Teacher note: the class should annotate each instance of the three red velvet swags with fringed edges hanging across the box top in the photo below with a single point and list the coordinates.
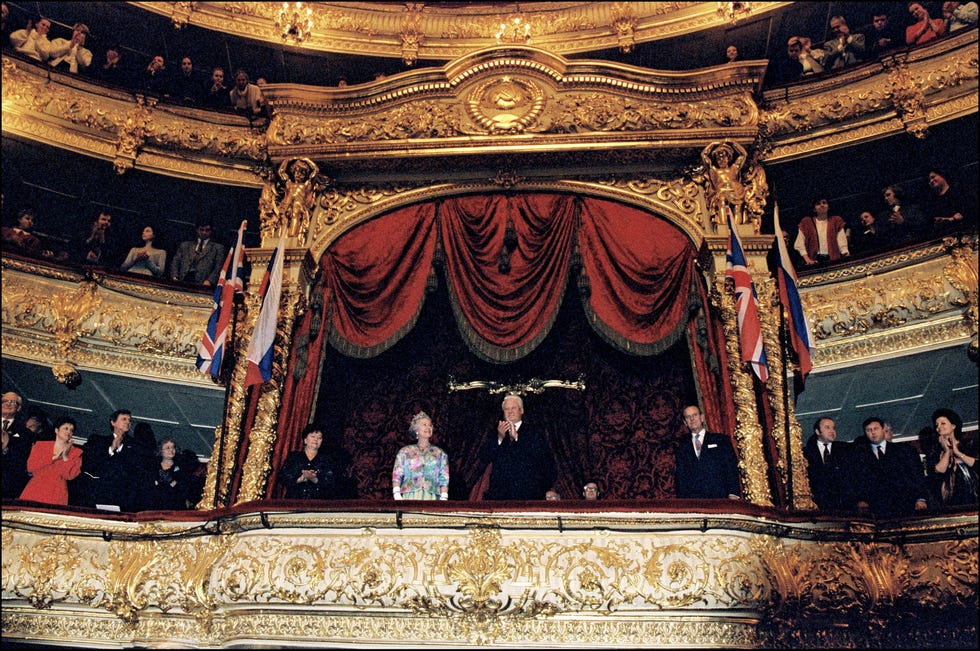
(507, 260)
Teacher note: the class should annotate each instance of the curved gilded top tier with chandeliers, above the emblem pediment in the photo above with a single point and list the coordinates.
(446, 31)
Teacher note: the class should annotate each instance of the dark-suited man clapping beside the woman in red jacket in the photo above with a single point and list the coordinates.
(111, 464)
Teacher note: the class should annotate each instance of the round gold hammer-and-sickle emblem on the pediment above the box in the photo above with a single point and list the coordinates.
(506, 105)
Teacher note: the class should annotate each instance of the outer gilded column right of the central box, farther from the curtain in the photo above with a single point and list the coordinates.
(790, 450)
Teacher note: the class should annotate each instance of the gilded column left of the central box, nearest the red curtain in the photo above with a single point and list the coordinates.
(262, 436)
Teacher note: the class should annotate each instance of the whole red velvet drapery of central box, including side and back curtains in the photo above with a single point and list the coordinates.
(506, 260)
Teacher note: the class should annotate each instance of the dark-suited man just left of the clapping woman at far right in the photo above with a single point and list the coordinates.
(885, 478)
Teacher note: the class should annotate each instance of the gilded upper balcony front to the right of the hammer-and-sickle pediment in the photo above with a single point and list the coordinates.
(906, 91)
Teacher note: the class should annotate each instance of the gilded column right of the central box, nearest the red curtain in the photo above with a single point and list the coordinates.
(748, 432)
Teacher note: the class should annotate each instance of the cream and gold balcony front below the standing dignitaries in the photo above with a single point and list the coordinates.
(500, 580)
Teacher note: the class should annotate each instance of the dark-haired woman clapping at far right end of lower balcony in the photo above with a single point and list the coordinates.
(951, 468)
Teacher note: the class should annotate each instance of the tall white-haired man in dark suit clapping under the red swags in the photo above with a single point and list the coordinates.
(522, 465)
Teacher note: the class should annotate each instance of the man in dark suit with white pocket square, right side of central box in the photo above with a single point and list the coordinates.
(706, 464)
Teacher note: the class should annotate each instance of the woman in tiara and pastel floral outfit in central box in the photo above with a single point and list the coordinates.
(421, 469)
